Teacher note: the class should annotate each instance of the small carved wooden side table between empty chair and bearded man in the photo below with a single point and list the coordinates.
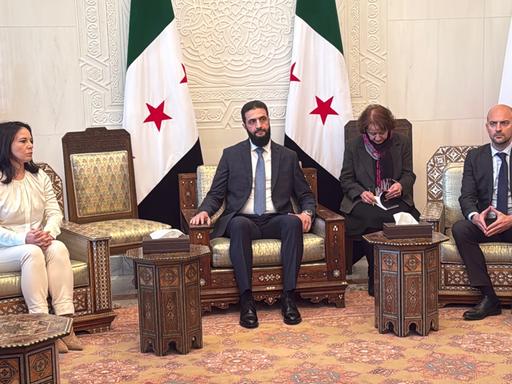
(169, 301)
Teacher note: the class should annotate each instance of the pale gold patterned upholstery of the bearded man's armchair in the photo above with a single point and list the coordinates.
(266, 252)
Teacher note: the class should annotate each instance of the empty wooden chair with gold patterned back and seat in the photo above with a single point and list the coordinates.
(100, 187)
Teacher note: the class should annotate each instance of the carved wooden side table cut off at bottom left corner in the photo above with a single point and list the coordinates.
(27, 347)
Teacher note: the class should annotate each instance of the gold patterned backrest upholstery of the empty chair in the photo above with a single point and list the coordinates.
(102, 183)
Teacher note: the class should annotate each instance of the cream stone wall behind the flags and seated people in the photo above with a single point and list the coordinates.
(437, 63)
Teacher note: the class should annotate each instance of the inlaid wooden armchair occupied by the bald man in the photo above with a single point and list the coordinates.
(444, 177)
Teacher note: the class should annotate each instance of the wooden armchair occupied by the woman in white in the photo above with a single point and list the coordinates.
(89, 255)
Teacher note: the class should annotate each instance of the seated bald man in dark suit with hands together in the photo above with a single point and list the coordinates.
(487, 206)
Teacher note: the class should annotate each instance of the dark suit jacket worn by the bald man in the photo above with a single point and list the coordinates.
(477, 182)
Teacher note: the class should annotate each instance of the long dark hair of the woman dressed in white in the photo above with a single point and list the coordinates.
(8, 132)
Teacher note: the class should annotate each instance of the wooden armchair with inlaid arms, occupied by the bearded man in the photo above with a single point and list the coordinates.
(322, 272)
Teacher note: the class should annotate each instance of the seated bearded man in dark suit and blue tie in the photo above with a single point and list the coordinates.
(257, 179)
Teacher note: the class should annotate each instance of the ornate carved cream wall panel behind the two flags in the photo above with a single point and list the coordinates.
(233, 50)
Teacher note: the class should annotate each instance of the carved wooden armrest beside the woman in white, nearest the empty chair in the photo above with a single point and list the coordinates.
(95, 251)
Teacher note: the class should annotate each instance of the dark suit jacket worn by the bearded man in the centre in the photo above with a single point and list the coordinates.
(233, 182)
